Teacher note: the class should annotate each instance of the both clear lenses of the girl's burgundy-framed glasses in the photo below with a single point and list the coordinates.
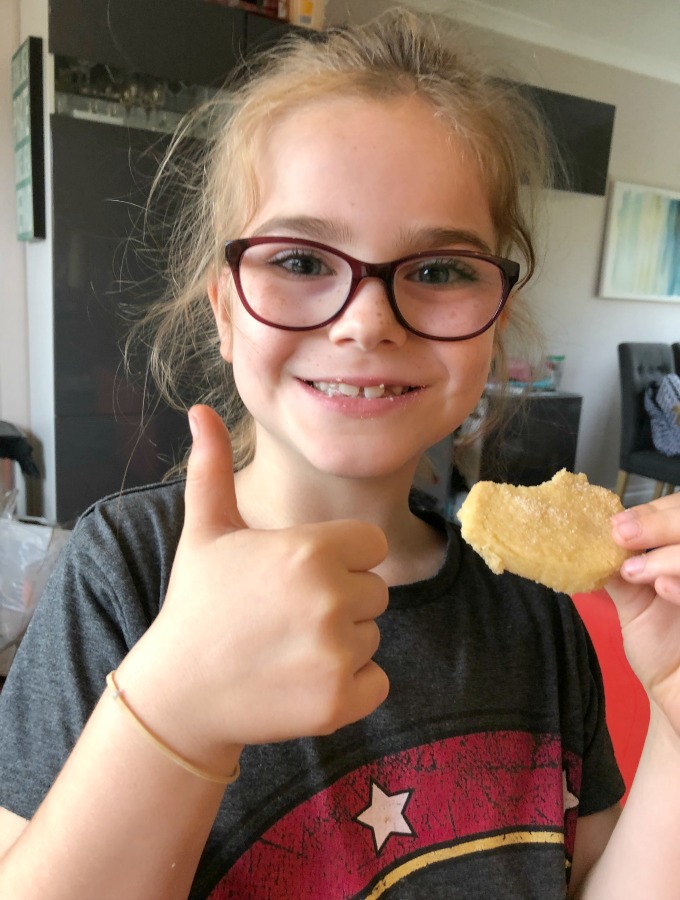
(299, 286)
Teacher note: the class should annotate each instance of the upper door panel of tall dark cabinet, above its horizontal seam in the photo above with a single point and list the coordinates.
(101, 175)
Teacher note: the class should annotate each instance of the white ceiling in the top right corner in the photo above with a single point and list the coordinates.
(640, 35)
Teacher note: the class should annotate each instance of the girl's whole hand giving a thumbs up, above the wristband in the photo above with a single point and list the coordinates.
(264, 635)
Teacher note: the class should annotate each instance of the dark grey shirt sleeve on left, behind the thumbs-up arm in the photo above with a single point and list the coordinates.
(87, 619)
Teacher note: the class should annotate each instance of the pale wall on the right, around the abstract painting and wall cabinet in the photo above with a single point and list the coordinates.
(645, 150)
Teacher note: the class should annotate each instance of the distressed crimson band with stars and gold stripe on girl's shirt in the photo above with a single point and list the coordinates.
(412, 809)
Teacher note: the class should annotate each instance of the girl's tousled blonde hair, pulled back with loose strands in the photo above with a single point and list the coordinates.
(400, 53)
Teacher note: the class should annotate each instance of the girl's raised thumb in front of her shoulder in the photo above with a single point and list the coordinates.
(210, 497)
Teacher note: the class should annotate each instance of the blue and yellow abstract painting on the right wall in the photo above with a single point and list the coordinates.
(641, 259)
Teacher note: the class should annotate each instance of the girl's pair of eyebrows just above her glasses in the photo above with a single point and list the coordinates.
(336, 232)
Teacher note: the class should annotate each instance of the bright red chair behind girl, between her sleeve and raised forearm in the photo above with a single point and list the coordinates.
(627, 702)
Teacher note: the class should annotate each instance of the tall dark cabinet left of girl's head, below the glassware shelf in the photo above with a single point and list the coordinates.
(103, 438)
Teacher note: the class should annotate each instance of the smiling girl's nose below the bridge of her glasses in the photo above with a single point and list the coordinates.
(368, 320)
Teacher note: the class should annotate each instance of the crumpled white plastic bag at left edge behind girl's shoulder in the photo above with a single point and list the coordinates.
(28, 551)
